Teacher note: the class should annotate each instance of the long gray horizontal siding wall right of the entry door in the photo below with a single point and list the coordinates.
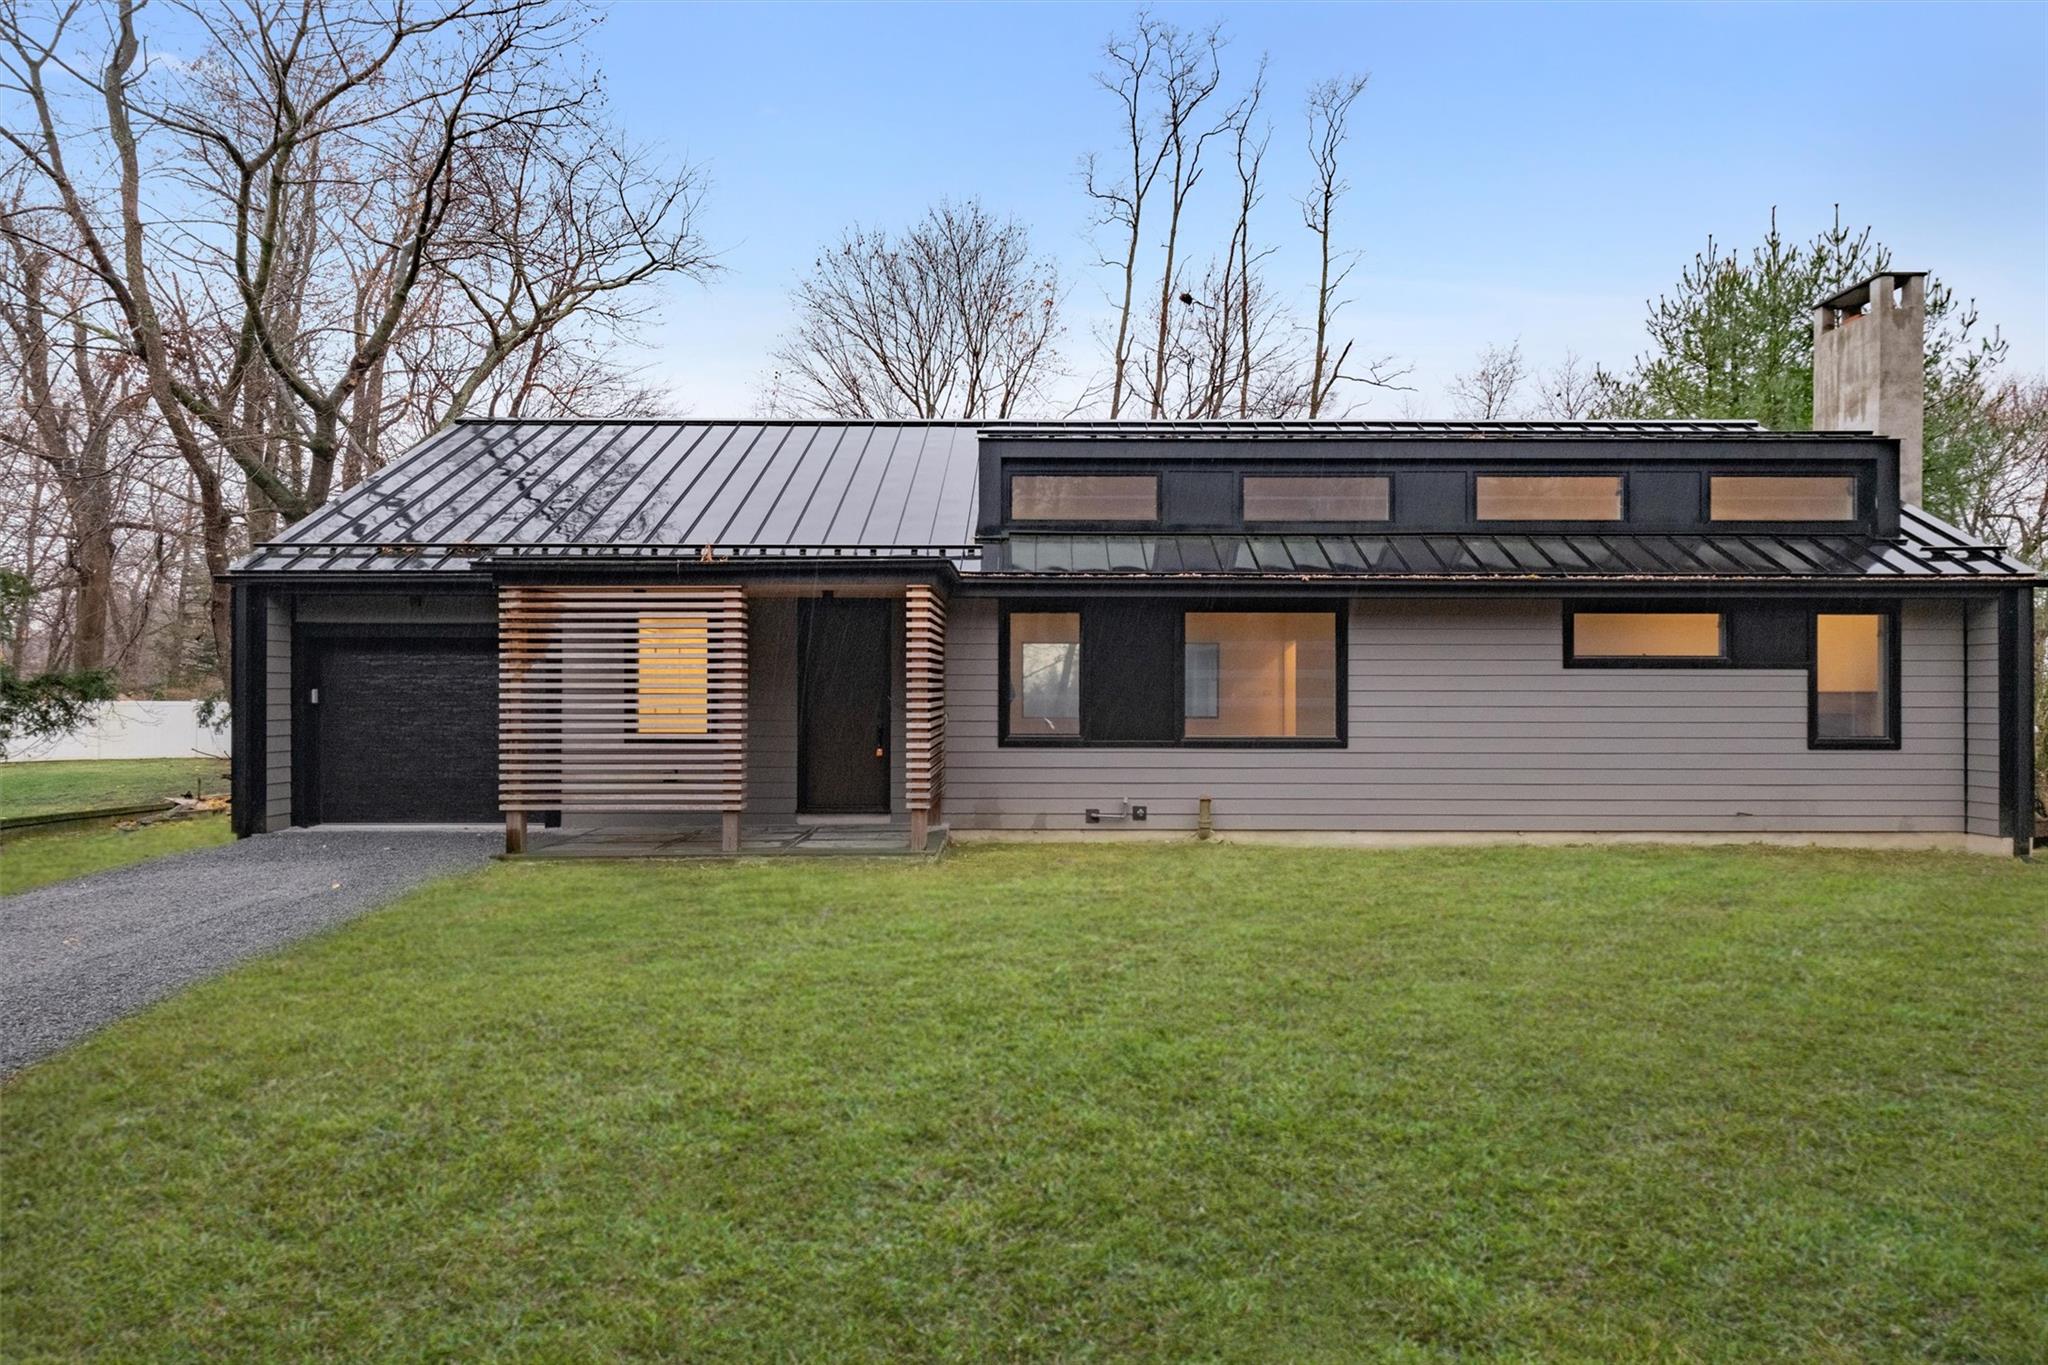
(1465, 719)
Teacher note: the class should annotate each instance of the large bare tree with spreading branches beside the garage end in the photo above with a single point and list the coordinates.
(318, 189)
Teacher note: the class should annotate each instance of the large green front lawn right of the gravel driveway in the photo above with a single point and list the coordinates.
(1058, 1102)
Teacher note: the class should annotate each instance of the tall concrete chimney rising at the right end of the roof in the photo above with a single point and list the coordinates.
(1869, 349)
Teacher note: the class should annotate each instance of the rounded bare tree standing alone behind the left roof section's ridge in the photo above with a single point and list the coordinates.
(951, 320)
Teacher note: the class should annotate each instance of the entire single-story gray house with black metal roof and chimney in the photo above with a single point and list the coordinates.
(1353, 629)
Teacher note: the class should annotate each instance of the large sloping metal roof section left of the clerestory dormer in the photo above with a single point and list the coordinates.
(583, 488)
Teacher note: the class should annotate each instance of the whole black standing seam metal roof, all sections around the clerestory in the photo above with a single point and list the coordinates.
(509, 490)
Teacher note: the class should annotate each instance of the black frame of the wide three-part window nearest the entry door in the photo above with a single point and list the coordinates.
(1181, 607)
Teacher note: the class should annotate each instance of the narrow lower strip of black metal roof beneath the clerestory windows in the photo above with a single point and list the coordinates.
(1928, 549)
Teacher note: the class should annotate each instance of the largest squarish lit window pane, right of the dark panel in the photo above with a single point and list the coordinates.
(1261, 676)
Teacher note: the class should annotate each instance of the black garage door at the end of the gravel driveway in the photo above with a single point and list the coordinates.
(398, 730)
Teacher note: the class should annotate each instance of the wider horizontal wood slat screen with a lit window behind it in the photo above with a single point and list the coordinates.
(622, 699)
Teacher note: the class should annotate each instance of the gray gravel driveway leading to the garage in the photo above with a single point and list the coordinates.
(79, 955)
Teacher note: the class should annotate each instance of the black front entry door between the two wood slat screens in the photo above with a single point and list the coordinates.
(843, 705)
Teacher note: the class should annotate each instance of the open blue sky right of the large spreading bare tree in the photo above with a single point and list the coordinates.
(1521, 173)
